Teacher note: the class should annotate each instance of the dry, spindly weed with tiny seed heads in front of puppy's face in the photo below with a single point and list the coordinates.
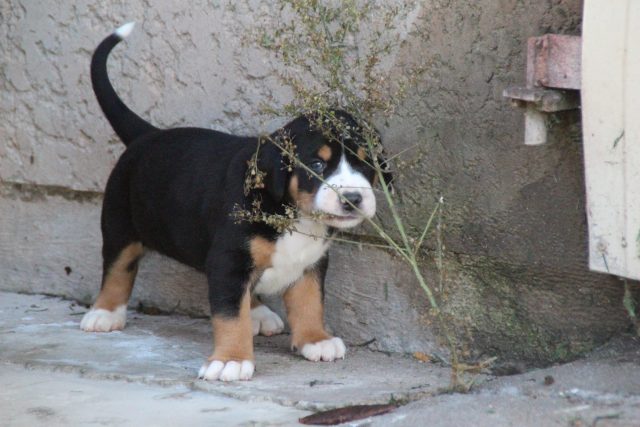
(336, 54)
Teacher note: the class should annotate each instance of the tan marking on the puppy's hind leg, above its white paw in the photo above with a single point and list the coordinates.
(118, 281)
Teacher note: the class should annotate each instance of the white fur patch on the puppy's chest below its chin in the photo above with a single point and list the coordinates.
(294, 252)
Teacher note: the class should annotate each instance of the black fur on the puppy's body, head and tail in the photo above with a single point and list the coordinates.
(175, 190)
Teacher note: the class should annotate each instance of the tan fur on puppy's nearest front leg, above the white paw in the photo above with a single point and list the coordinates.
(233, 336)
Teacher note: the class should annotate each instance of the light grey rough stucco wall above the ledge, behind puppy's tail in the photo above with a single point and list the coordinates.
(180, 67)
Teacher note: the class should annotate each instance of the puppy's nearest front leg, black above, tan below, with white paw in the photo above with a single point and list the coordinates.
(232, 357)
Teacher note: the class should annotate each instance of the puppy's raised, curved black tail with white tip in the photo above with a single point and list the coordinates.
(127, 124)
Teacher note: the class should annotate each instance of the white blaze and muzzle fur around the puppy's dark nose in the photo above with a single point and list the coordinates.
(345, 180)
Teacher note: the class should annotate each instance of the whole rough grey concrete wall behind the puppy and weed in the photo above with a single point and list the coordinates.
(516, 283)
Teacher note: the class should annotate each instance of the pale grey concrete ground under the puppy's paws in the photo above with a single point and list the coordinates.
(54, 374)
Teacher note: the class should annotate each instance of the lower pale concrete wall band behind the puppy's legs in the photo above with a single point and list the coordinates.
(50, 243)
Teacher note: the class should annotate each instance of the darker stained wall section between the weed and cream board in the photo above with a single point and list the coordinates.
(517, 283)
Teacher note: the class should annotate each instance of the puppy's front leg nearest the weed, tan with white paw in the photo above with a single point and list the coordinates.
(305, 313)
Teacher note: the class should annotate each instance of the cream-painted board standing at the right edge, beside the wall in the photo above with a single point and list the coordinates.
(611, 126)
